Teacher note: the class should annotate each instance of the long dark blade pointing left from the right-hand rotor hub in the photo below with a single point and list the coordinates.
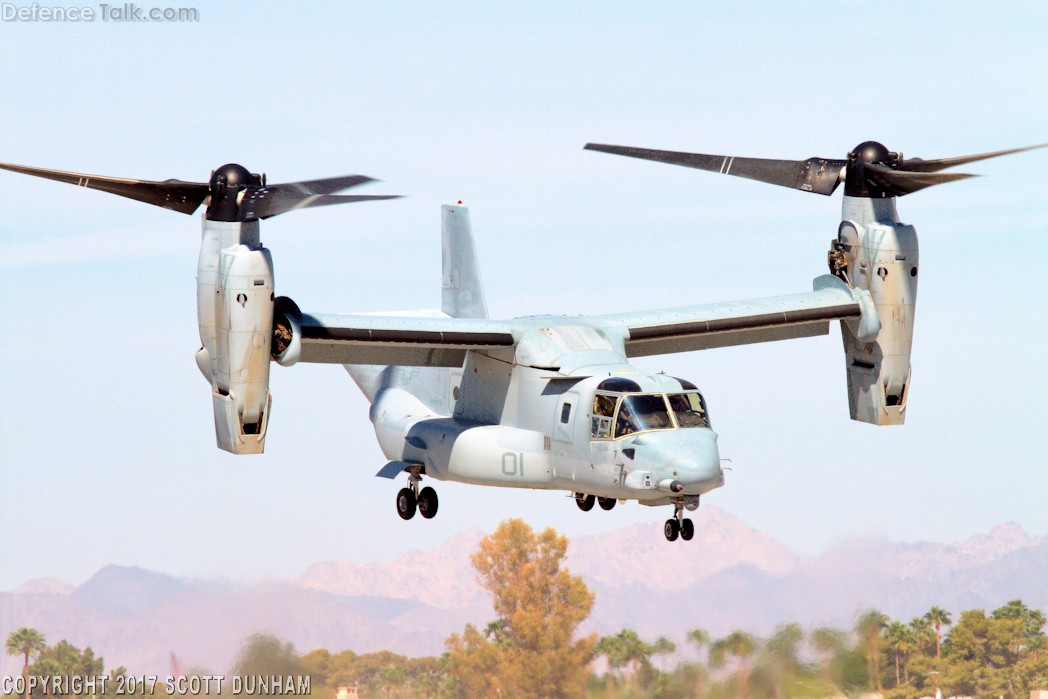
(820, 176)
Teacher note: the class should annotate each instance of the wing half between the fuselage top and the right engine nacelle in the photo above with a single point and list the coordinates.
(708, 326)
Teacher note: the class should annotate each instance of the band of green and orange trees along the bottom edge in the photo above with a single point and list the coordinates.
(531, 650)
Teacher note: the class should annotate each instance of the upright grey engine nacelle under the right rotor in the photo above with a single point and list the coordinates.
(880, 255)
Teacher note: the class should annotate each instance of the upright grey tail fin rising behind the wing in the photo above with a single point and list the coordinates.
(462, 289)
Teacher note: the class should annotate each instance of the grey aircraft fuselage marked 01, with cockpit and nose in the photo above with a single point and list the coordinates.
(565, 412)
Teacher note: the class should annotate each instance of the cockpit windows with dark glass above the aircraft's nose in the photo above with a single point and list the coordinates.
(621, 409)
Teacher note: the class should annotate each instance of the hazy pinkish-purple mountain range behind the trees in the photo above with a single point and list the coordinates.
(731, 577)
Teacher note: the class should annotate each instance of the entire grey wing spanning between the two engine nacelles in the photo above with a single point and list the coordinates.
(439, 341)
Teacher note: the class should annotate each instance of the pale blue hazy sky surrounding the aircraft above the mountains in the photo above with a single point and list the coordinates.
(107, 450)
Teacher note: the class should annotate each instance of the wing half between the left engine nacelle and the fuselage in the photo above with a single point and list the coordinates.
(406, 341)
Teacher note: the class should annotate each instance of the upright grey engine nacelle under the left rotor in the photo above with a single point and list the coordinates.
(235, 311)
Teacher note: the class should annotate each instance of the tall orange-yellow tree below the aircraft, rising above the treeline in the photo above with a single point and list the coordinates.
(539, 606)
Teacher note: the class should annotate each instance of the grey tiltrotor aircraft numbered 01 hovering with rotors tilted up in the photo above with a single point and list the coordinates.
(548, 403)
